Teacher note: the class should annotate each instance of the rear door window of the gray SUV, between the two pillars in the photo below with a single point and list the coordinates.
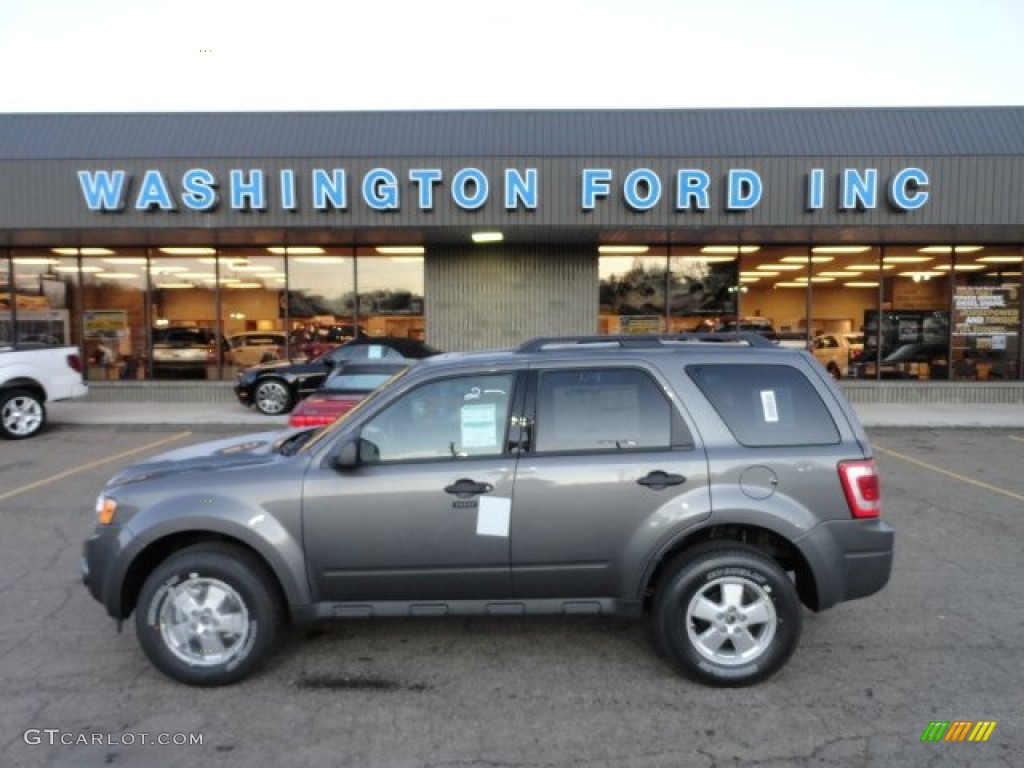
(603, 410)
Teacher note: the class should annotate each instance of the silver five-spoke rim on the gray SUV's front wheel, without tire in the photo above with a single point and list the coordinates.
(204, 622)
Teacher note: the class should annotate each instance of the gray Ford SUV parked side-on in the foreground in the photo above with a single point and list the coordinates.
(712, 485)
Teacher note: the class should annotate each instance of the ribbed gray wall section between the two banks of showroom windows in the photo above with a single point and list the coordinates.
(491, 298)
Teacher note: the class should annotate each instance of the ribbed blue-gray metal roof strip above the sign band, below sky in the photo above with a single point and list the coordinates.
(965, 132)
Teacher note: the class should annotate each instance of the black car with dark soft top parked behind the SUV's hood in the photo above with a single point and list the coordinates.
(276, 388)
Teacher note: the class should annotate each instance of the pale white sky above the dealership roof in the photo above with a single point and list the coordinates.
(177, 56)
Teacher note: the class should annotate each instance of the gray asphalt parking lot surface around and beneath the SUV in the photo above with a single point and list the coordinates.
(944, 643)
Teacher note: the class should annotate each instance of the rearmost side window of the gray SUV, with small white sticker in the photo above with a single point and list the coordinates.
(766, 405)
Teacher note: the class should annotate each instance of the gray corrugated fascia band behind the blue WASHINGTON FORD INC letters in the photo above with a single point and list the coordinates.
(970, 193)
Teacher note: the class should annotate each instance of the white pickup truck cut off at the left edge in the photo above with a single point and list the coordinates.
(31, 376)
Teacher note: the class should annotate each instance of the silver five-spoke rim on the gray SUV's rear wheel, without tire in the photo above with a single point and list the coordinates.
(732, 621)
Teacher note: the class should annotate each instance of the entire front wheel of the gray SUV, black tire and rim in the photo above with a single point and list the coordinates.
(233, 627)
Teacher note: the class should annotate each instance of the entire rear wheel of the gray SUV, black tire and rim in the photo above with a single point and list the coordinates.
(728, 616)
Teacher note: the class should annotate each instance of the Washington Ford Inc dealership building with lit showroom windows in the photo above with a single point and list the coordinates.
(899, 230)
